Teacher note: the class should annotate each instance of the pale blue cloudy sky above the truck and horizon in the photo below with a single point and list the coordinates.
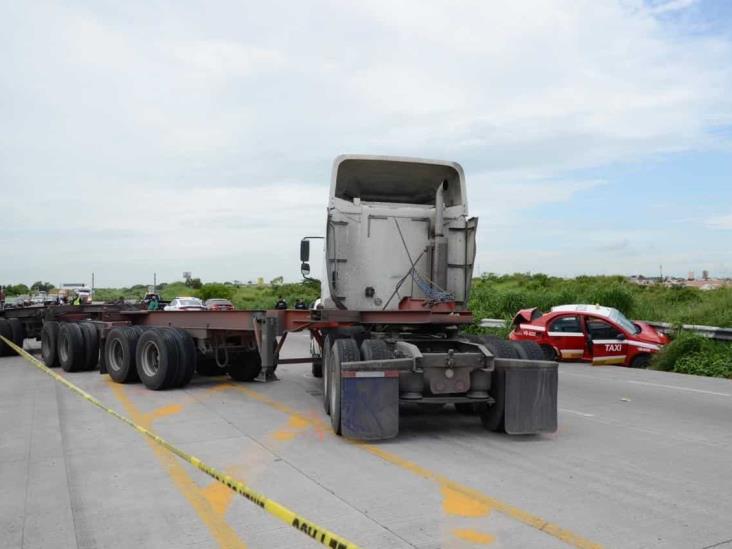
(160, 136)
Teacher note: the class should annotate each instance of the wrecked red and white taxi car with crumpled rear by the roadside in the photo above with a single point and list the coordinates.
(591, 333)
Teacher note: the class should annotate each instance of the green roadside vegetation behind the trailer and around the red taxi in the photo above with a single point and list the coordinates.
(501, 296)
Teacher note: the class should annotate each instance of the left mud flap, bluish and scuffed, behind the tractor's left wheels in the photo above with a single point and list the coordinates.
(369, 407)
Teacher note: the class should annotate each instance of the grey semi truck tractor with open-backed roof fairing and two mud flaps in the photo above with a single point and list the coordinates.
(398, 263)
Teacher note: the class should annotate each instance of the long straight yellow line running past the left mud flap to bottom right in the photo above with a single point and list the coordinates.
(524, 517)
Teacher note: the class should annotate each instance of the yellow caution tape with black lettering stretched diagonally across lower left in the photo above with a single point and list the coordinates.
(307, 527)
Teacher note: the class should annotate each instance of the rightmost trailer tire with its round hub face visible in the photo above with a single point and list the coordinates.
(157, 358)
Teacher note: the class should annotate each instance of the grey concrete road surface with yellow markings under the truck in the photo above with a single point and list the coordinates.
(641, 459)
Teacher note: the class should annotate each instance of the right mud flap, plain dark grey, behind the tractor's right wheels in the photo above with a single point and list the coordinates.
(529, 389)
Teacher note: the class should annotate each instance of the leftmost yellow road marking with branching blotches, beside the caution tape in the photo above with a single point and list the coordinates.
(209, 510)
